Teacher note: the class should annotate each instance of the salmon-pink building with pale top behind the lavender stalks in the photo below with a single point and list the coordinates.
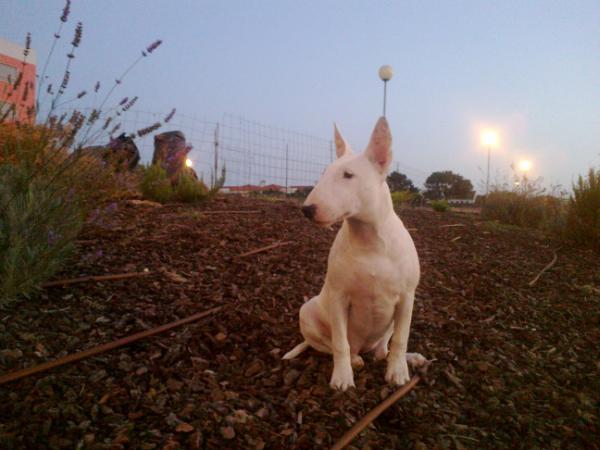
(20, 102)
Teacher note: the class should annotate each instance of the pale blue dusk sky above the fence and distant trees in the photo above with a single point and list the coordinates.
(530, 69)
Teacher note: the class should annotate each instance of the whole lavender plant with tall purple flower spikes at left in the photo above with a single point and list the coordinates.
(48, 187)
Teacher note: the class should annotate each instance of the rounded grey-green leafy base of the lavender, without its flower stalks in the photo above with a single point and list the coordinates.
(38, 228)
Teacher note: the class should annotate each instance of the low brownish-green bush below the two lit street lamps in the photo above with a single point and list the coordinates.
(516, 208)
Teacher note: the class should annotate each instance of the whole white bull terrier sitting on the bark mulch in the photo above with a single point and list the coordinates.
(372, 270)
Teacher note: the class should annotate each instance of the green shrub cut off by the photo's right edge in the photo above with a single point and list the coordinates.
(583, 217)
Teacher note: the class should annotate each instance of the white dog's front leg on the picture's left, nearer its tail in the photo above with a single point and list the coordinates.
(342, 376)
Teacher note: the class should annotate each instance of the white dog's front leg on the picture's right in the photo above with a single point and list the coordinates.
(397, 369)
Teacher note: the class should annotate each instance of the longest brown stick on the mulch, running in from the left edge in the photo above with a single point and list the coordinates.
(12, 376)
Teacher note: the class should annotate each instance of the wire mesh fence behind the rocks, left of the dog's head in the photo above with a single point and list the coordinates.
(252, 153)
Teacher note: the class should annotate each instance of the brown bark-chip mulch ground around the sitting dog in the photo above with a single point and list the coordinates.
(516, 366)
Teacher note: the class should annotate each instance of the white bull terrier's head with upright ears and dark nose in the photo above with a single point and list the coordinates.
(351, 187)
